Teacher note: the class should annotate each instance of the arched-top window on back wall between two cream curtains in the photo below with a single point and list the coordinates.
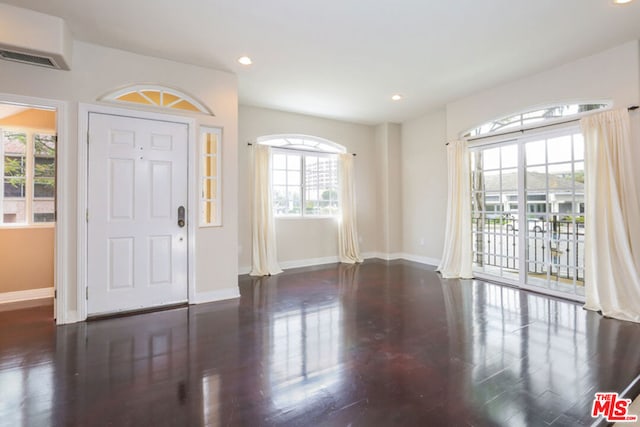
(304, 175)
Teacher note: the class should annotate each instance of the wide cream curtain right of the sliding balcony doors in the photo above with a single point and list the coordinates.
(612, 217)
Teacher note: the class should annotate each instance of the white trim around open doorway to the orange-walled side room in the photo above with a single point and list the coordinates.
(61, 239)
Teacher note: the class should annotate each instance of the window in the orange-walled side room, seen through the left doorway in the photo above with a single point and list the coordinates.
(28, 173)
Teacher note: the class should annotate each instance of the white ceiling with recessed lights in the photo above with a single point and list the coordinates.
(344, 59)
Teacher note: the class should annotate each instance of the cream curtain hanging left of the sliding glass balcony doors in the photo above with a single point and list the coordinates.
(456, 256)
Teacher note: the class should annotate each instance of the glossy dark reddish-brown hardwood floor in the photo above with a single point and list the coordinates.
(378, 344)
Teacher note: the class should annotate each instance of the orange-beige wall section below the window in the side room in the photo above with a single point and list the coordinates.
(26, 258)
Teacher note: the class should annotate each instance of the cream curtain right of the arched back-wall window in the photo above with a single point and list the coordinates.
(348, 247)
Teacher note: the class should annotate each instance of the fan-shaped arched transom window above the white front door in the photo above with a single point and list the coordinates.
(157, 96)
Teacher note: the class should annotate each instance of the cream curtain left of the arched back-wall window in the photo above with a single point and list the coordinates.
(264, 251)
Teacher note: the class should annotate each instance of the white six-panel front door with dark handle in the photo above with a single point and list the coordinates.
(137, 185)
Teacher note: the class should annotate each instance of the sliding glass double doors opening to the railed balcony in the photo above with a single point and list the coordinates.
(528, 212)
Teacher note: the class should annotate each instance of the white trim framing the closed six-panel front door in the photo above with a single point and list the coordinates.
(192, 203)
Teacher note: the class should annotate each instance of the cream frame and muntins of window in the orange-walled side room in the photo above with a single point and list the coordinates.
(29, 177)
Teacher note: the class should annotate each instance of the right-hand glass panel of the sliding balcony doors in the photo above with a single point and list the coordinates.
(554, 188)
